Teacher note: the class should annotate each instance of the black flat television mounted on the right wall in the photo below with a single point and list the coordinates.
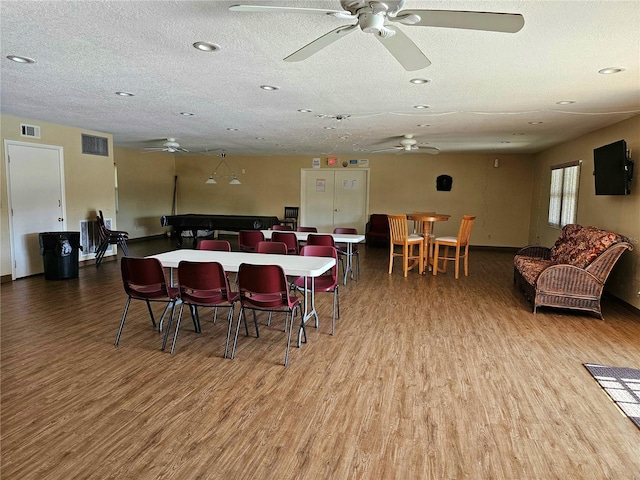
(613, 169)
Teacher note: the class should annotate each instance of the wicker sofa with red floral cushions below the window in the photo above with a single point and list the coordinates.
(573, 272)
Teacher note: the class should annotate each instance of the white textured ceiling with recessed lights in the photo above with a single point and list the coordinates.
(484, 89)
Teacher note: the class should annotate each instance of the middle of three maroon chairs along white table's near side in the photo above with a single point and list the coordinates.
(202, 284)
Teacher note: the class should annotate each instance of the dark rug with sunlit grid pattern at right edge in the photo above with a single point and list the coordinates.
(622, 385)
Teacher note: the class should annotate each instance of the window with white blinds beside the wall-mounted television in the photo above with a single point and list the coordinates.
(563, 196)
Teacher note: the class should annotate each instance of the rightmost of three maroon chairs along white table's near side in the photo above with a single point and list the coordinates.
(265, 288)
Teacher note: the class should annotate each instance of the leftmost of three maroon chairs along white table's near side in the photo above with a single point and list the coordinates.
(144, 279)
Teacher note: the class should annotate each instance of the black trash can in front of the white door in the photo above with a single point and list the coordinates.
(59, 252)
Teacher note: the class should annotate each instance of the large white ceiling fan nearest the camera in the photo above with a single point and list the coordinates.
(373, 17)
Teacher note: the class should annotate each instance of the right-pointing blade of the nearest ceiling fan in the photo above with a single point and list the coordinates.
(495, 22)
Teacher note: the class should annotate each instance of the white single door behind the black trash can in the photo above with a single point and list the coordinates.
(36, 201)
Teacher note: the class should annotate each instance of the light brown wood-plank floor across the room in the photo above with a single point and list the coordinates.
(426, 378)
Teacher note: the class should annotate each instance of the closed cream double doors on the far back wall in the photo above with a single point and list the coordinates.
(334, 198)
